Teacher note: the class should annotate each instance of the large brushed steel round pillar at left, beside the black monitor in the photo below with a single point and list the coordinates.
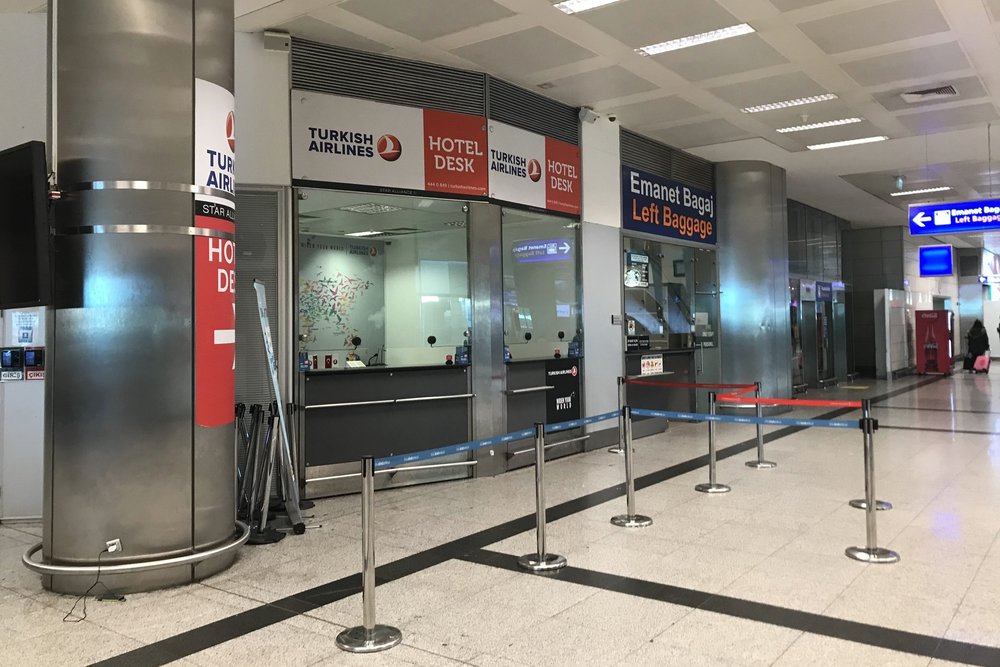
(126, 457)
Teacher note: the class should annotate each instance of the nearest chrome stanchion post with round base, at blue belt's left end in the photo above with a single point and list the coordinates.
(369, 637)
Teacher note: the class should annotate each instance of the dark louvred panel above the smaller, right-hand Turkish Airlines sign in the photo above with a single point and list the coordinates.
(533, 112)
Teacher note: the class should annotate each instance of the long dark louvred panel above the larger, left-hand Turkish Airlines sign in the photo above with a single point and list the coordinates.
(338, 71)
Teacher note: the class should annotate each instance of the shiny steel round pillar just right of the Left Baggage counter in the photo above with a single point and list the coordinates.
(753, 274)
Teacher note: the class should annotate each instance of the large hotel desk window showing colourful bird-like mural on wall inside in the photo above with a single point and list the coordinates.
(383, 280)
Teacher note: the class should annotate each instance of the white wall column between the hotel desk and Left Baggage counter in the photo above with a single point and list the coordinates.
(601, 273)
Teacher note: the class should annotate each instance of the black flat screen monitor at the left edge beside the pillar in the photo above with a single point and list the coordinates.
(24, 227)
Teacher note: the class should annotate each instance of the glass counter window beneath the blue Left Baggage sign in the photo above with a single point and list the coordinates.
(659, 295)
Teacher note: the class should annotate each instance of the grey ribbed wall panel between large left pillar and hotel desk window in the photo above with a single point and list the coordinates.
(257, 218)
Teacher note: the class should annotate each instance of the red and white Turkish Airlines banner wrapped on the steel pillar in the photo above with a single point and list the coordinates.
(214, 257)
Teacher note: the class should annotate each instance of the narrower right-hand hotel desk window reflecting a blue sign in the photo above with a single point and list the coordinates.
(541, 287)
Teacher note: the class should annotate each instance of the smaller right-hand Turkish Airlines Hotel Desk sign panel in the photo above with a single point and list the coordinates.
(528, 168)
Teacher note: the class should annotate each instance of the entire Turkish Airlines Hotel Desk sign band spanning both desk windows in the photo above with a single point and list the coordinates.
(345, 140)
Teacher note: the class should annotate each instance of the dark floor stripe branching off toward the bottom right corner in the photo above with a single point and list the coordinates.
(837, 628)
